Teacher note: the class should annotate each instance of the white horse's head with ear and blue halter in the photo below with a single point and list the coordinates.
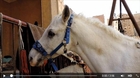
(53, 39)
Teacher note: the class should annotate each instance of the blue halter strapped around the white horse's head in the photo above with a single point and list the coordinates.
(37, 46)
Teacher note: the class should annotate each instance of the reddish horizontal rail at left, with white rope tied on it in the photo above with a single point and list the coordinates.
(16, 21)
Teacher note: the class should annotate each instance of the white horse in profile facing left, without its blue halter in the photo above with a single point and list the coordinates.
(104, 49)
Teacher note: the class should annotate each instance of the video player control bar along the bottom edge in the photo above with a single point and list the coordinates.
(105, 75)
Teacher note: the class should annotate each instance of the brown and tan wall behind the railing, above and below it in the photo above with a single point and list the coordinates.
(30, 11)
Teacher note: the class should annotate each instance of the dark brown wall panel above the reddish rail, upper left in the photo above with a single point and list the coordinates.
(26, 10)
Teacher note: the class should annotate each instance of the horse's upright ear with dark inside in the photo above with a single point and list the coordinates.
(65, 14)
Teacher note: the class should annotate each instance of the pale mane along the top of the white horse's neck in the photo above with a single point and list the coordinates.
(108, 29)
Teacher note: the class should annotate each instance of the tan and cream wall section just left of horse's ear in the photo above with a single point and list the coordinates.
(50, 8)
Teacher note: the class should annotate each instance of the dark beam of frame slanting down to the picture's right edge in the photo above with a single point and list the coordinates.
(131, 17)
